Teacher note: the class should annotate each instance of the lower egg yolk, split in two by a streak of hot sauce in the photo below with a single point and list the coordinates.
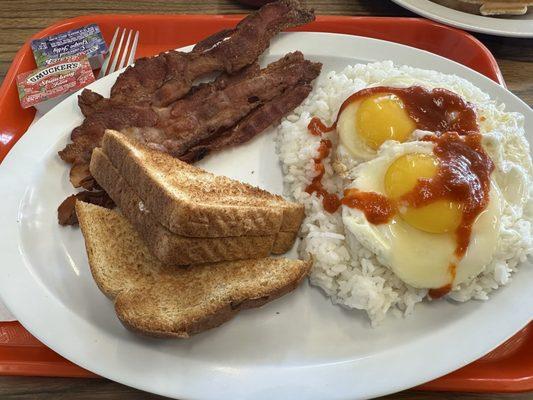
(403, 174)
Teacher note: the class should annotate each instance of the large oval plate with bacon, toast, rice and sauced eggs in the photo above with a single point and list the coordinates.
(307, 213)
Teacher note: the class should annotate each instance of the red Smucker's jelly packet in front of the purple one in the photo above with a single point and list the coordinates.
(61, 78)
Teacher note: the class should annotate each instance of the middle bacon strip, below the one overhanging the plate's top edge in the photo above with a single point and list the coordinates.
(209, 110)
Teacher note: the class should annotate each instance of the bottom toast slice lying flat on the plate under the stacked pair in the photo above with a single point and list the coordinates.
(154, 299)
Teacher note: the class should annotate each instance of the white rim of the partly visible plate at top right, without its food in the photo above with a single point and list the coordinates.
(513, 26)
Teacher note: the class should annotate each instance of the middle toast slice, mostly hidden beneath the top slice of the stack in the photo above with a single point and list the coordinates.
(169, 247)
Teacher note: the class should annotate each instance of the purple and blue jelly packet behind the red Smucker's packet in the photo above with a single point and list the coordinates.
(87, 39)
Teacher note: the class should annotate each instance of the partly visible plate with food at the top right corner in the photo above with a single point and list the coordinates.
(513, 18)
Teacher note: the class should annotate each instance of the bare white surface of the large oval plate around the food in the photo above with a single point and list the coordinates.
(300, 346)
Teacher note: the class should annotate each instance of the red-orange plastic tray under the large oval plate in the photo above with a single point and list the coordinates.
(508, 368)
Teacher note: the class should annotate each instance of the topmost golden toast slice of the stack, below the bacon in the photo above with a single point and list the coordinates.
(192, 202)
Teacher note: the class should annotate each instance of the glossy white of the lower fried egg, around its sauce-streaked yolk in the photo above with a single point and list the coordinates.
(418, 258)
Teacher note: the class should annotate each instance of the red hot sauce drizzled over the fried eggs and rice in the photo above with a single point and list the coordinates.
(464, 167)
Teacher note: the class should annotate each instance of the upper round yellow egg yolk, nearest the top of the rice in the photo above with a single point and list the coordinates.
(383, 117)
